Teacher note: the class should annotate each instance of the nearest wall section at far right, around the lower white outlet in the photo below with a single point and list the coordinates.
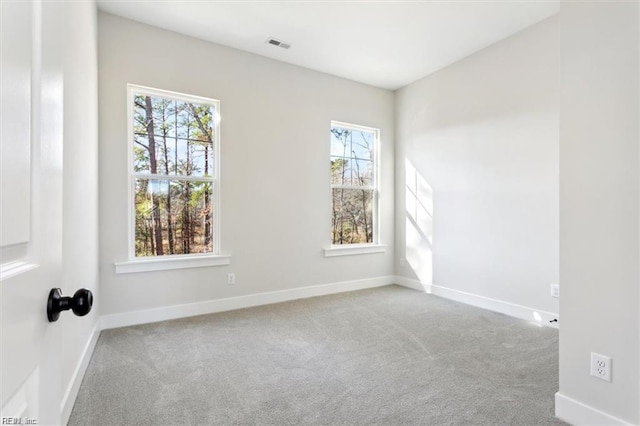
(599, 210)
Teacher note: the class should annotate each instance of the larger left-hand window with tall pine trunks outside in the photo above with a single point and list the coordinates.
(174, 177)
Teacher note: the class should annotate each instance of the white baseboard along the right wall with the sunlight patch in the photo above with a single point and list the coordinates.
(507, 308)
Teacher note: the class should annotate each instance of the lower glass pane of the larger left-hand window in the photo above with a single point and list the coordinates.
(173, 217)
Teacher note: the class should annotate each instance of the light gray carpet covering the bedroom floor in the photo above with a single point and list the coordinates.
(389, 356)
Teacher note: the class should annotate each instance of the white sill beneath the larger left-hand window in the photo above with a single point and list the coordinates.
(165, 264)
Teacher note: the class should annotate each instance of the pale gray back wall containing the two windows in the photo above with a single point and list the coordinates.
(275, 193)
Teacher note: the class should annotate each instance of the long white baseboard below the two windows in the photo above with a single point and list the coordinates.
(231, 303)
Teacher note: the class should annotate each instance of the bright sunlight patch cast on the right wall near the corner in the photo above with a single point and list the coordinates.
(418, 224)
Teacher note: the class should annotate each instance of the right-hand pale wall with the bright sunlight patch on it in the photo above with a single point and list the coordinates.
(483, 134)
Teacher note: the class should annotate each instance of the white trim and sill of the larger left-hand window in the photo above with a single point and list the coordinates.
(160, 263)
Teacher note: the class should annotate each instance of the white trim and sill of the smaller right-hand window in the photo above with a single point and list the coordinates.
(375, 246)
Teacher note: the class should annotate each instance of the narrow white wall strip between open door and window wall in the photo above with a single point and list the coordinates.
(80, 186)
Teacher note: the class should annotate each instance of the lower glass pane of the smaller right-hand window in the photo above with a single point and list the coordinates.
(352, 216)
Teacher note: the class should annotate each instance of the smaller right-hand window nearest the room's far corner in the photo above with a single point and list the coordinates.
(354, 213)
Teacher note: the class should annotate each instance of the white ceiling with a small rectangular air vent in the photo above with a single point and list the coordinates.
(387, 44)
